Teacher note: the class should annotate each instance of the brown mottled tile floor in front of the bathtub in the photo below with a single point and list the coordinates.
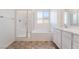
(32, 45)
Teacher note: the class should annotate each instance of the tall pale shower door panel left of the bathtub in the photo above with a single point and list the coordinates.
(21, 23)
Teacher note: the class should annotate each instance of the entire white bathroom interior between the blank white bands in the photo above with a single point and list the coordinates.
(39, 28)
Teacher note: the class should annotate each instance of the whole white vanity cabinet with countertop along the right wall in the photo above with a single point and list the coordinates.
(66, 38)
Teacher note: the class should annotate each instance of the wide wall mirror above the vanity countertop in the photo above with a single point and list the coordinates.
(71, 18)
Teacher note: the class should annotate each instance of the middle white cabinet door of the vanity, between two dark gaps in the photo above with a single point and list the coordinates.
(66, 40)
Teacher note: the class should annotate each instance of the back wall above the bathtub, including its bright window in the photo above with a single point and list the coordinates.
(41, 21)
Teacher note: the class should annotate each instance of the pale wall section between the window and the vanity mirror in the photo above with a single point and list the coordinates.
(56, 18)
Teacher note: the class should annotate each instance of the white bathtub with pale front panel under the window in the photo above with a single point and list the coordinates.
(42, 35)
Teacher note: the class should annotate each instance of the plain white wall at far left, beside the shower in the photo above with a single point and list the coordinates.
(7, 27)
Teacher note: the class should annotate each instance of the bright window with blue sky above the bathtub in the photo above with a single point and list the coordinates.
(42, 17)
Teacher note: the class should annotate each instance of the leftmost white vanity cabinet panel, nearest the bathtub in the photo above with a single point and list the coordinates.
(57, 37)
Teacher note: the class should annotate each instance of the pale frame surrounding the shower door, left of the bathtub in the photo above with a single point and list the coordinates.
(21, 38)
